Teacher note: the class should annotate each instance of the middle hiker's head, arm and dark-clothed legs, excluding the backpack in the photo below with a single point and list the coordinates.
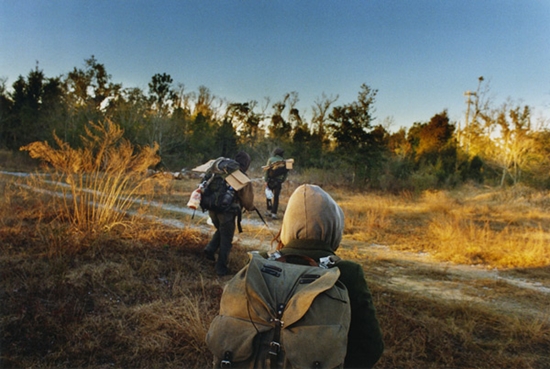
(225, 222)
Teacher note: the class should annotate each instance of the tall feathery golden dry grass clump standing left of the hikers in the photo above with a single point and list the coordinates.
(98, 182)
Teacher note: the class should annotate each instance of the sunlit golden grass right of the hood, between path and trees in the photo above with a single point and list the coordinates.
(503, 228)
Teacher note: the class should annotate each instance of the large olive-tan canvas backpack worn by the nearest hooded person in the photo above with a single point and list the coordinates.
(275, 314)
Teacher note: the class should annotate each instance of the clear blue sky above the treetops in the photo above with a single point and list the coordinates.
(420, 55)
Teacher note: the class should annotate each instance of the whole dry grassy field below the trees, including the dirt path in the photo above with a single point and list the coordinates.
(460, 279)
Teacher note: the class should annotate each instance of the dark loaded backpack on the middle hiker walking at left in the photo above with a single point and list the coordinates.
(217, 195)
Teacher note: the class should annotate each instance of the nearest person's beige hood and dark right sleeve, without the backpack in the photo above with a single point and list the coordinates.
(313, 226)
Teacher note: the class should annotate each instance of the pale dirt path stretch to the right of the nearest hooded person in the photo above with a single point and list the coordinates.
(421, 273)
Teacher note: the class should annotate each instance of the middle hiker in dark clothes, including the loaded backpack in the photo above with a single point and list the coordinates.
(224, 217)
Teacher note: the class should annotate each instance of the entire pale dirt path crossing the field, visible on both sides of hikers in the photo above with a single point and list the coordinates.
(402, 271)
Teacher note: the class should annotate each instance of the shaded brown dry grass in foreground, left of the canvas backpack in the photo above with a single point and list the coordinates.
(132, 297)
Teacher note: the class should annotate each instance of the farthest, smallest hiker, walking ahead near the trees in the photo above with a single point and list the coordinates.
(275, 174)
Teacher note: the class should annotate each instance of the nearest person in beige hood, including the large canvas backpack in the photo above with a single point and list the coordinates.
(300, 306)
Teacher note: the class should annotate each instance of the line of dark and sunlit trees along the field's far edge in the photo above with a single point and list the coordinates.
(498, 145)
